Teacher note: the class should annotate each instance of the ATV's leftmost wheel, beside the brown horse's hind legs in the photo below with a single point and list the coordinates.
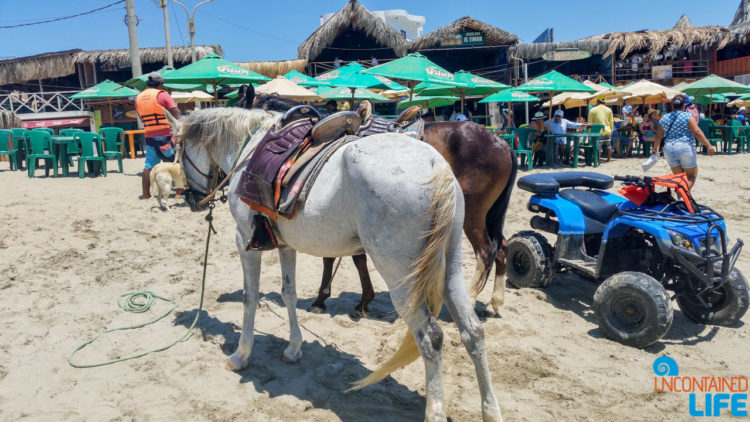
(529, 260)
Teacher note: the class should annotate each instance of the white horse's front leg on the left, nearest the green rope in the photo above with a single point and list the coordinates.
(251, 275)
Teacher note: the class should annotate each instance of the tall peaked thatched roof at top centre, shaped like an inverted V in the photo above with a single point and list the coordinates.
(357, 17)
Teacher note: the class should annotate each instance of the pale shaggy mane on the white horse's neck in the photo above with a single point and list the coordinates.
(217, 129)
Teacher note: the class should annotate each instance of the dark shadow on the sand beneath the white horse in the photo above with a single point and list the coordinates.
(322, 377)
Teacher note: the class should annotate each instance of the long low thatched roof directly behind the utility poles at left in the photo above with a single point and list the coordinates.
(121, 57)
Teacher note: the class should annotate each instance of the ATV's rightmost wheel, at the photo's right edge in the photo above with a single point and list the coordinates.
(726, 305)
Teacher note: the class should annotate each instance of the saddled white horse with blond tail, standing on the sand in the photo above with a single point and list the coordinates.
(386, 195)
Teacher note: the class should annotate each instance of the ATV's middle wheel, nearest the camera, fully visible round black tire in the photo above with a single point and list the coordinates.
(633, 309)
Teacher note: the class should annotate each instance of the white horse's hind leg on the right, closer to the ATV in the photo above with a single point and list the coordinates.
(472, 333)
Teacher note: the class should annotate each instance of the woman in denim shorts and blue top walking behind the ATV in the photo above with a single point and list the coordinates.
(679, 132)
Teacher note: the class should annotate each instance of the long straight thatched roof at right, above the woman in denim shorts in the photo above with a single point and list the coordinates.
(657, 42)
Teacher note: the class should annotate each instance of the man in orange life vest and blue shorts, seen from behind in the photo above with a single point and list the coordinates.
(159, 144)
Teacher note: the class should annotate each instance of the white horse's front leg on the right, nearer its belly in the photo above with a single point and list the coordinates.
(288, 258)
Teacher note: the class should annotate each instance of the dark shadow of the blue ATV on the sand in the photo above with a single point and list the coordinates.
(572, 293)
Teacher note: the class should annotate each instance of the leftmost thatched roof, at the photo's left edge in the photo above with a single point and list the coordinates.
(40, 66)
